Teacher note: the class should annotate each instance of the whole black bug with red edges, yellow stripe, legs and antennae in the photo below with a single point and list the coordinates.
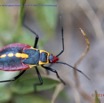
(20, 57)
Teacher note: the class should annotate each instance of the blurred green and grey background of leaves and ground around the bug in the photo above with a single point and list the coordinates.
(44, 20)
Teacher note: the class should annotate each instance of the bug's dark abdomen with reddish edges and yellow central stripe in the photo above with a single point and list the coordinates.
(10, 58)
